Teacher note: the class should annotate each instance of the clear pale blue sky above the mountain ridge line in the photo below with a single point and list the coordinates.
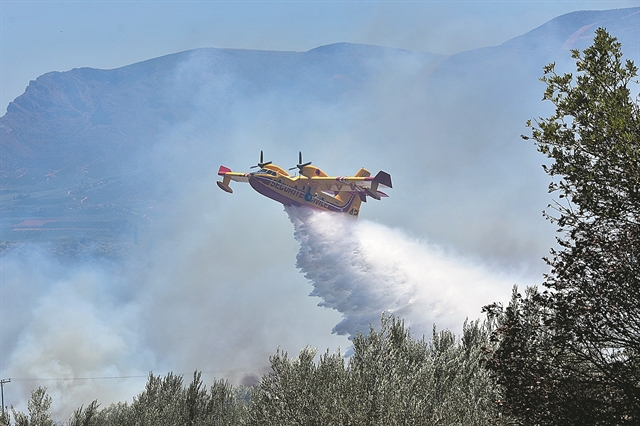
(42, 36)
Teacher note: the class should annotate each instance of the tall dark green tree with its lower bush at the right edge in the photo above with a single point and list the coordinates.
(571, 353)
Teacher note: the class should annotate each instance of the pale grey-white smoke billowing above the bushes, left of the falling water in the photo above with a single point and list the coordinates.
(213, 288)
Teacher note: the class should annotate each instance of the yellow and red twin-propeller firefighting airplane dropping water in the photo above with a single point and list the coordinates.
(311, 187)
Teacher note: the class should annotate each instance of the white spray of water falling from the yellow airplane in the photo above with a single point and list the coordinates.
(362, 269)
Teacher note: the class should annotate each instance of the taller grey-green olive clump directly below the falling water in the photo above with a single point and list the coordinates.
(391, 378)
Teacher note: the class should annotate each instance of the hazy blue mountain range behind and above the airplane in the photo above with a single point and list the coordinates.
(125, 139)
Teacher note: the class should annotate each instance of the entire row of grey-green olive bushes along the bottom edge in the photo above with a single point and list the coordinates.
(391, 378)
